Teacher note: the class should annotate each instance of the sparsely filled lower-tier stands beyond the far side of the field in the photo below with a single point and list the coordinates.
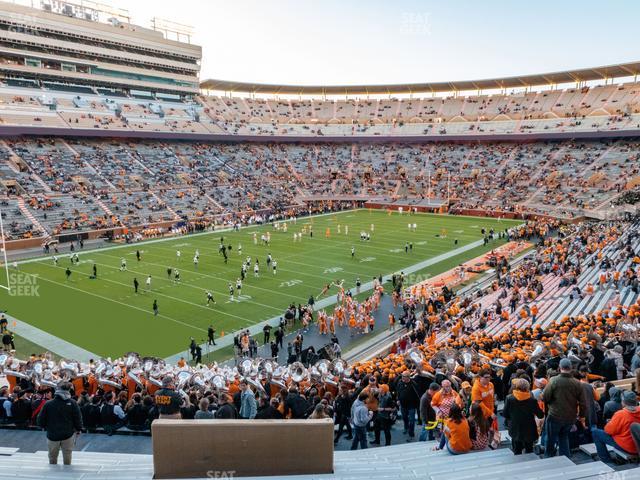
(79, 184)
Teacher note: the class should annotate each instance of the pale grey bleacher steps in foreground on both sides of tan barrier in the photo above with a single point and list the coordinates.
(405, 461)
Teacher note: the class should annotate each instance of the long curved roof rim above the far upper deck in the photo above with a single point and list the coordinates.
(555, 78)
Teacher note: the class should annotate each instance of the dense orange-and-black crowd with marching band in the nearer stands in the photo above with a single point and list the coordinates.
(458, 356)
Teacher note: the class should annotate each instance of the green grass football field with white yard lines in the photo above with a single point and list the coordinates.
(104, 315)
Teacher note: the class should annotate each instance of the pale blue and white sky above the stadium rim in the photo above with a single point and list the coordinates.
(399, 41)
